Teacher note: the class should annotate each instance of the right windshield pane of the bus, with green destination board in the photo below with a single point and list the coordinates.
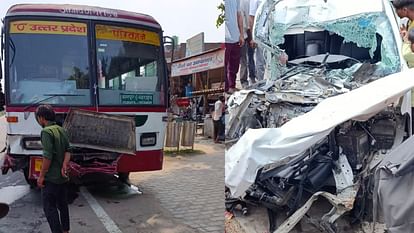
(129, 66)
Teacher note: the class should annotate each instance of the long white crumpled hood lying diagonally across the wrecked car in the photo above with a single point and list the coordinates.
(277, 146)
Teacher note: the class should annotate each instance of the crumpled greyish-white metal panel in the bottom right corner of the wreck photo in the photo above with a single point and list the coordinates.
(393, 184)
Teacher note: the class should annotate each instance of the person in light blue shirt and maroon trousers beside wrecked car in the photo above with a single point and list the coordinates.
(233, 42)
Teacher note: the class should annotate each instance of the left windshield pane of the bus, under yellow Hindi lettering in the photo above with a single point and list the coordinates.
(48, 58)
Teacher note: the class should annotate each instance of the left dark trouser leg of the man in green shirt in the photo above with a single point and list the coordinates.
(50, 207)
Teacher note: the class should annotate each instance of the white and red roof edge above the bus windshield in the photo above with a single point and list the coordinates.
(82, 12)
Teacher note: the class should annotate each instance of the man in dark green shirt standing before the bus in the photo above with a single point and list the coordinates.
(53, 175)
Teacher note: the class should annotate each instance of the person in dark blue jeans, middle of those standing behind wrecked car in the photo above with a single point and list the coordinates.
(247, 67)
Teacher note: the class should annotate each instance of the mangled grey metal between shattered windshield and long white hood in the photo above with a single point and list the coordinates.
(304, 84)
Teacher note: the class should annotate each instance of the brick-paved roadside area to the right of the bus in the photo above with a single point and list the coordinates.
(192, 189)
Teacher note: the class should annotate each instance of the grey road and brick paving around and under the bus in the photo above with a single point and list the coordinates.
(186, 197)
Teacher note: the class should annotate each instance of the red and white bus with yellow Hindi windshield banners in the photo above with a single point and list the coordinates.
(91, 58)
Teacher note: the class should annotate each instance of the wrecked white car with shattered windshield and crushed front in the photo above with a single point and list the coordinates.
(319, 125)
